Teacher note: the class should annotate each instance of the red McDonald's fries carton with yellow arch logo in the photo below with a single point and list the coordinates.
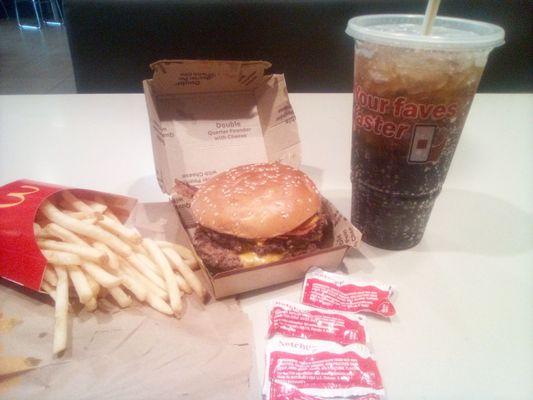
(21, 260)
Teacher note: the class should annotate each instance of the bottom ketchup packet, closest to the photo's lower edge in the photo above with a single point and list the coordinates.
(321, 369)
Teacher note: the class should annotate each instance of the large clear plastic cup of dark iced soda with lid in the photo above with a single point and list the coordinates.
(412, 94)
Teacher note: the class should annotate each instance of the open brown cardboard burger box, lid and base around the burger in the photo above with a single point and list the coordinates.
(209, 116)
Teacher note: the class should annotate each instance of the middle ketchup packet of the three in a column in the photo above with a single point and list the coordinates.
(300, 321)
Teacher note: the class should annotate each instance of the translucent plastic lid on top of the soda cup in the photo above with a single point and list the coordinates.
(404, 30)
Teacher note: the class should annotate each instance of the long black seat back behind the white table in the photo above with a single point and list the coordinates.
(112, 42)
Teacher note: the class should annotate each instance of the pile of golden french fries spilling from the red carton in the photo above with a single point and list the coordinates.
(87, 246)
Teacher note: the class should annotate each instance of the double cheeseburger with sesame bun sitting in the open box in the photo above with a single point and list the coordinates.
(257, 214)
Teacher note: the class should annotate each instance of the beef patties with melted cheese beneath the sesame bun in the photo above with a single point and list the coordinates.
(220, 252)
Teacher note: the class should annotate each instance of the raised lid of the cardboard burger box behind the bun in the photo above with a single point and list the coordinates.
(209, 116)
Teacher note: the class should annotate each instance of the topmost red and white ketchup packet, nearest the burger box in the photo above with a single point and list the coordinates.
(342, 293)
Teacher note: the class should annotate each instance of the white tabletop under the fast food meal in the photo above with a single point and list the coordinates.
(464, 327)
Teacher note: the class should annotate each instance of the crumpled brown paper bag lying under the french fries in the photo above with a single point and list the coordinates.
(133, 353)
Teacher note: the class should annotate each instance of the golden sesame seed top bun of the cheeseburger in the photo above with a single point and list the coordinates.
(256, 201)
